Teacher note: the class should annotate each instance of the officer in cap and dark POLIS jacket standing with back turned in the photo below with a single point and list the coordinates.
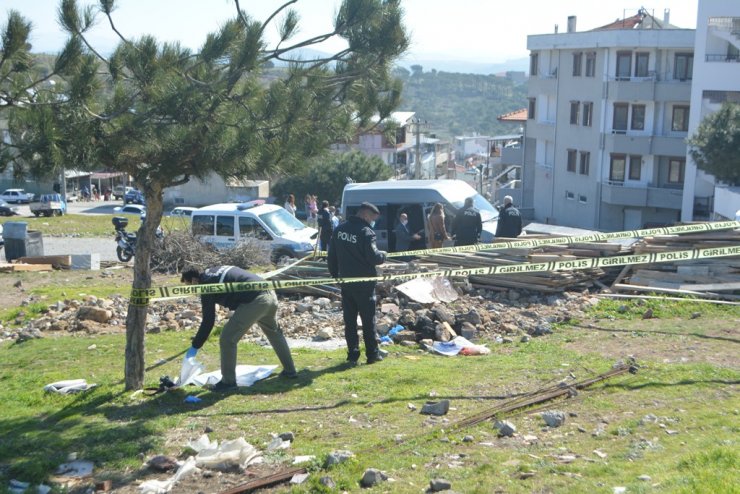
(353, 254)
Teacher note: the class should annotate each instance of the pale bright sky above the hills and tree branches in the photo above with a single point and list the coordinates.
(479, 30)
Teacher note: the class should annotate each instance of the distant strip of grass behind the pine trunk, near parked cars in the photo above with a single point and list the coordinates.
(98, 225)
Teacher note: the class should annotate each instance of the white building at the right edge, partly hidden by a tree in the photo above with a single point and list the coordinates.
(716, 80)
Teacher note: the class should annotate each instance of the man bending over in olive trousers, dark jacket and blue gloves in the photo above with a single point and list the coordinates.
(249, 307)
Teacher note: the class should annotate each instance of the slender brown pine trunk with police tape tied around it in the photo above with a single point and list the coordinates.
(136, 317)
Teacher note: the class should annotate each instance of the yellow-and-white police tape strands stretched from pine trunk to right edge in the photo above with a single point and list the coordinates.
(144, 296)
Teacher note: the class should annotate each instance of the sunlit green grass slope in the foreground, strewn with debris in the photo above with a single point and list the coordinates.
(365, 409)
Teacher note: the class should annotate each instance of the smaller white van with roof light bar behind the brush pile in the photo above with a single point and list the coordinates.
(224, 225)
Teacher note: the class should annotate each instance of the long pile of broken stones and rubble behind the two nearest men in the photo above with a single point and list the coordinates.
(477, 313)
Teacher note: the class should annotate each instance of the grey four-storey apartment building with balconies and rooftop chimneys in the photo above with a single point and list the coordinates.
(607, 122)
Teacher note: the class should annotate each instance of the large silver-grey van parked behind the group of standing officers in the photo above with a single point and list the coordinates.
(416, 198)
